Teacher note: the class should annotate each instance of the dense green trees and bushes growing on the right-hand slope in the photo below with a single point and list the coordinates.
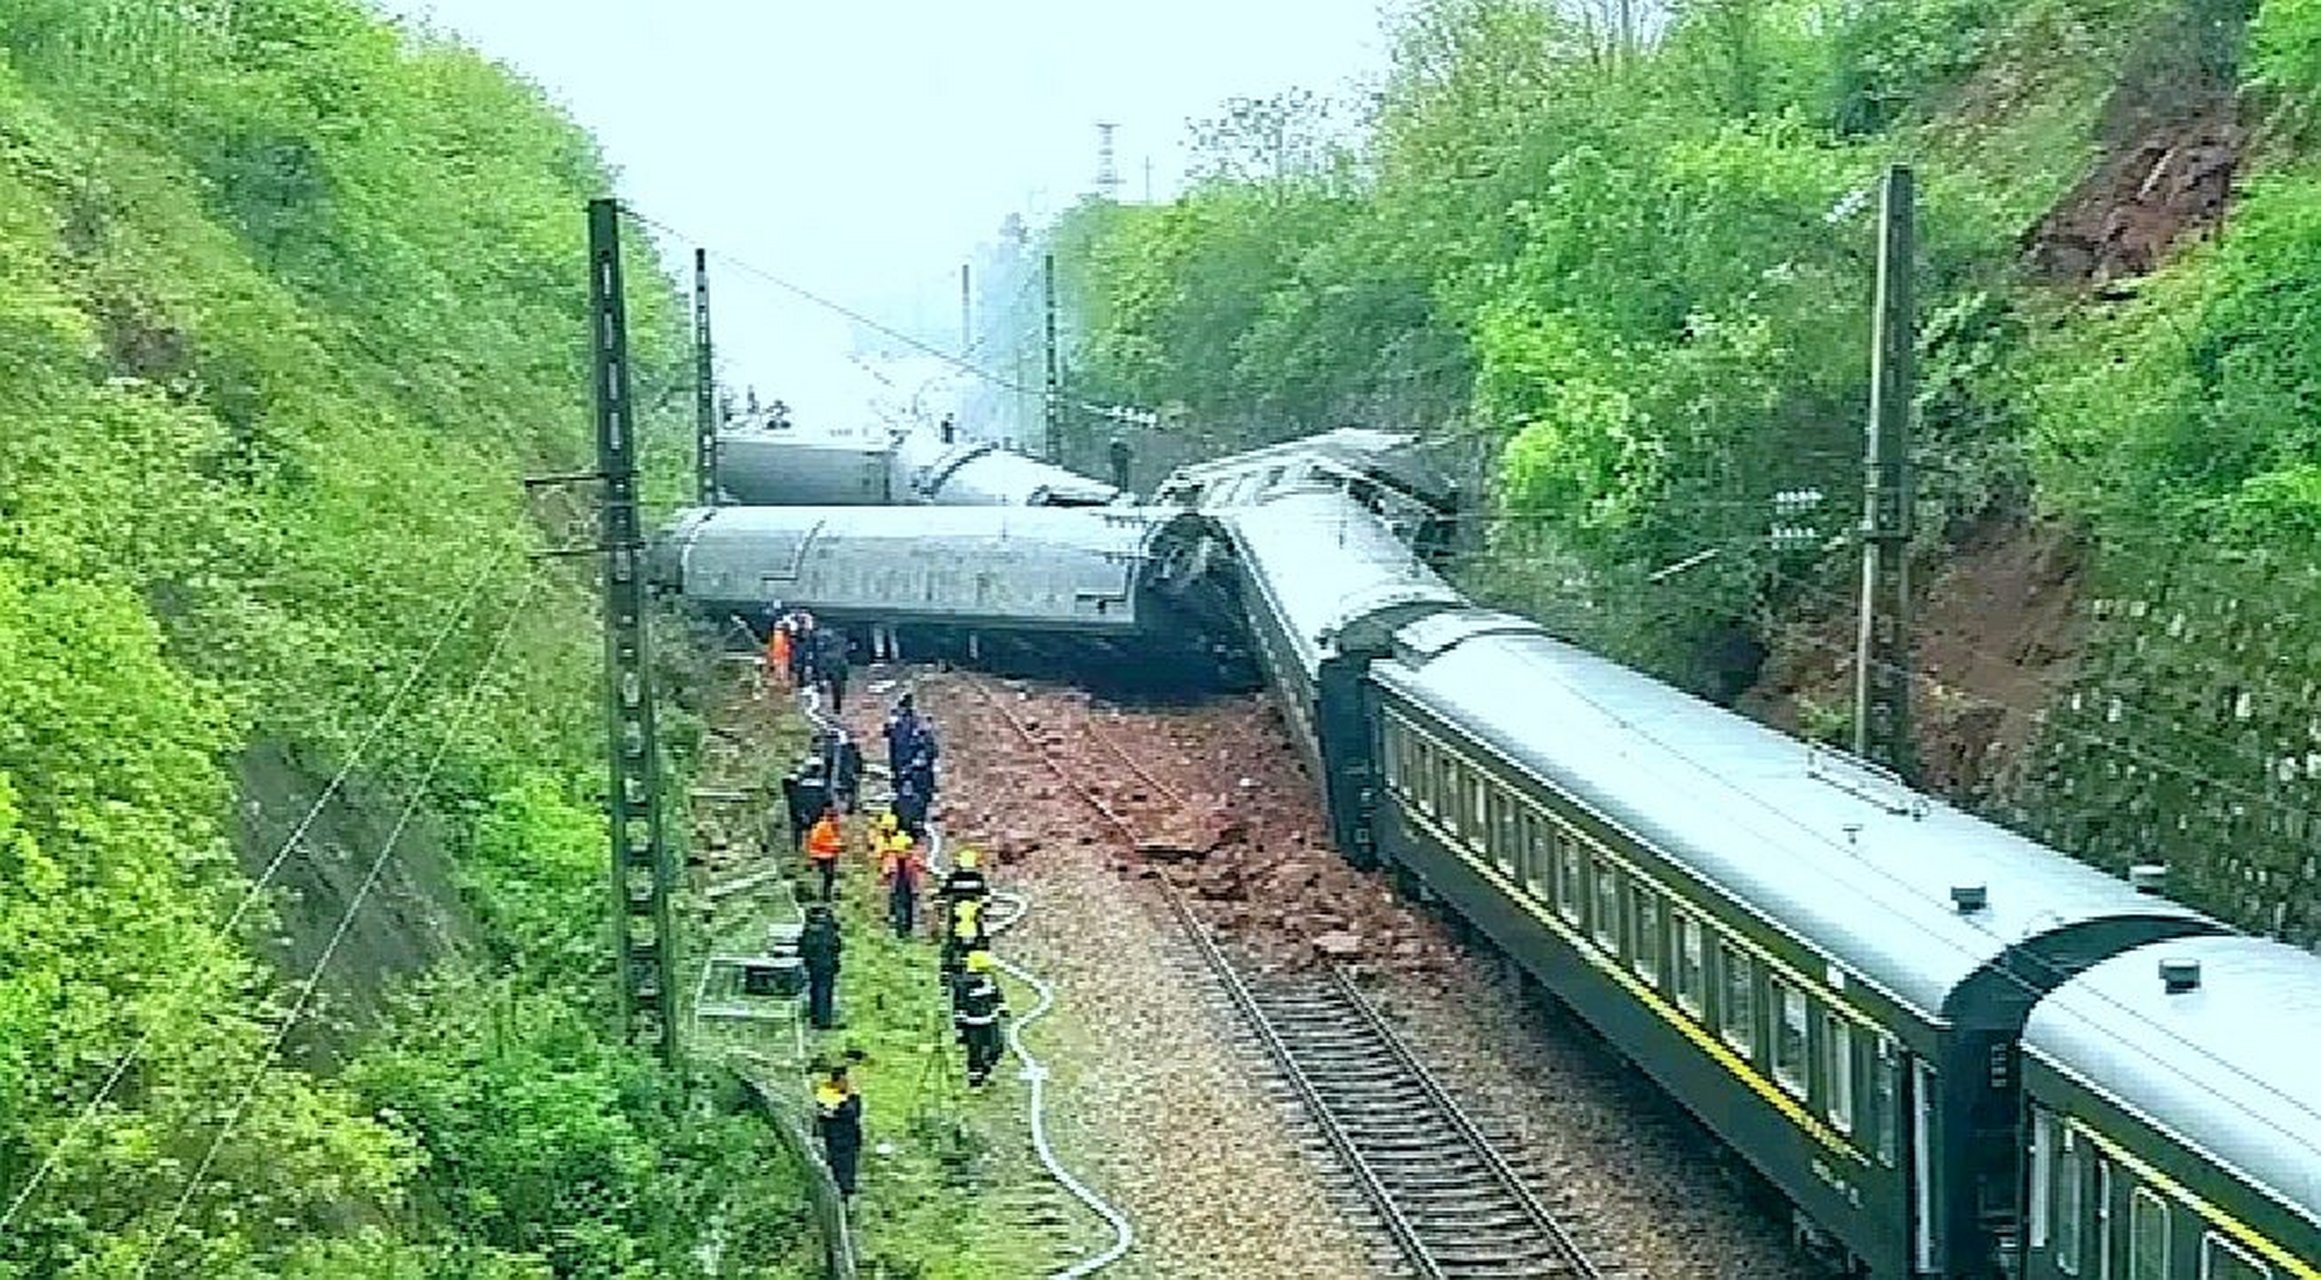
(1635, 289)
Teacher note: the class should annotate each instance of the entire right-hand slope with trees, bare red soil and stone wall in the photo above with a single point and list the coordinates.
(1631, 282)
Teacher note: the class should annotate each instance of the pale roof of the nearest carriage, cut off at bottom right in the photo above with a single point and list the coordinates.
(2162, 1056)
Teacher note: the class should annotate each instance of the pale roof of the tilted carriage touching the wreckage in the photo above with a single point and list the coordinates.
(1329, 566)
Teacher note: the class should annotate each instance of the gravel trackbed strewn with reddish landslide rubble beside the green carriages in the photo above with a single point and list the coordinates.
(1231, 826)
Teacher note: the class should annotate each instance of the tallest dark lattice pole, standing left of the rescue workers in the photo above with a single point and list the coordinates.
(642, 875)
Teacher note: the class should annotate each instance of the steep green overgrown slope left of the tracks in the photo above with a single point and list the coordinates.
(289, 301)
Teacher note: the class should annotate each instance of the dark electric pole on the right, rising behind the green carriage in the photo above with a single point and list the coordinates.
(1883, 642)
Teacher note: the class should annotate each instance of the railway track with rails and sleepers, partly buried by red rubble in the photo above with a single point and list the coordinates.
(1443, 1193)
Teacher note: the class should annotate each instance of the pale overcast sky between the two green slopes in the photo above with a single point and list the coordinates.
(865, 148)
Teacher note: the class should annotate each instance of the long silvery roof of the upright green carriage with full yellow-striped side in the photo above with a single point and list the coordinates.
(1816, 842)
